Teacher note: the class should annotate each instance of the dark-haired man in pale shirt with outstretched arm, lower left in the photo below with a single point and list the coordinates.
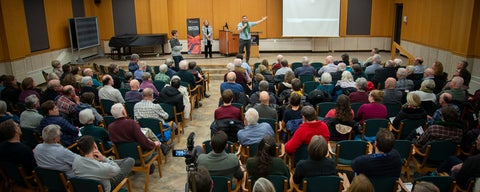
(93, 165)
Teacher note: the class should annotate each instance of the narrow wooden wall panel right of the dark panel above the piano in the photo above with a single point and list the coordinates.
(143, 17)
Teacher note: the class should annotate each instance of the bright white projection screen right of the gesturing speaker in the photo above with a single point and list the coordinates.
(311, 18)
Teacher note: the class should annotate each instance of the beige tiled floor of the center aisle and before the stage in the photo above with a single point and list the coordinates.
(174, 173)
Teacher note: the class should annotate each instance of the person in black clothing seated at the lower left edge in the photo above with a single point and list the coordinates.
(12, 150)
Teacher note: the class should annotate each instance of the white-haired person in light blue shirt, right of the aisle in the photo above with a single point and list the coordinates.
(253, 132)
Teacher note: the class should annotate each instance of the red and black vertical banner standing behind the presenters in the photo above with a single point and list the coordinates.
(193, 36)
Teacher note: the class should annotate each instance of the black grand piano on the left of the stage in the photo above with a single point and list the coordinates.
(122, 45)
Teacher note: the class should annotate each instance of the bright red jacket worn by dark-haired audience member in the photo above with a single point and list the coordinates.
(304, 133)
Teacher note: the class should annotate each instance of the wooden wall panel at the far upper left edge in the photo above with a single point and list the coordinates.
(16, 35)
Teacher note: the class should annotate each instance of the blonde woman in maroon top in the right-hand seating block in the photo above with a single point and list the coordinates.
(374, 109)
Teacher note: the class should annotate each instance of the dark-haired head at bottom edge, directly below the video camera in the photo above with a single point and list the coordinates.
(200, 180)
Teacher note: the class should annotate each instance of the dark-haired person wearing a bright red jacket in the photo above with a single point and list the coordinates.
(310, 126)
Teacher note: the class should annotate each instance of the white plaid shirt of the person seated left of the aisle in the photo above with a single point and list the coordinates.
(148, 109)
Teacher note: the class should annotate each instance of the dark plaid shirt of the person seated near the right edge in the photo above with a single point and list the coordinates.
(440, 132)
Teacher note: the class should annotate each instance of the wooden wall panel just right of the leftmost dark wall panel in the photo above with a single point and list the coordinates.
(57, 26)
